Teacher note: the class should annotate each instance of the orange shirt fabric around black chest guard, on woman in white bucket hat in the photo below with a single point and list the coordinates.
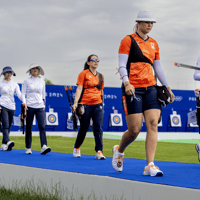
(141, 73)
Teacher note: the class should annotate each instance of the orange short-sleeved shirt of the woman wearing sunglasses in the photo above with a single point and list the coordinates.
(91, 94)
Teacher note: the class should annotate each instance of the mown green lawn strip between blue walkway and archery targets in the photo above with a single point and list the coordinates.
(166, 151)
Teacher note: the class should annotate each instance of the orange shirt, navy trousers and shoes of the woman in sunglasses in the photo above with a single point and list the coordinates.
(92, 101)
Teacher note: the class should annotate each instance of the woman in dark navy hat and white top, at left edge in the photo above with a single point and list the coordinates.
(7, 90)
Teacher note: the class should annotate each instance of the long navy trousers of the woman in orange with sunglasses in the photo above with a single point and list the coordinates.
(96, 113)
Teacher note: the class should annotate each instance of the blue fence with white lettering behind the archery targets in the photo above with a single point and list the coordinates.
(57, 99)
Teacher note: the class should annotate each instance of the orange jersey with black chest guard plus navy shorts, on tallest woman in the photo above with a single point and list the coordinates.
(141, 56)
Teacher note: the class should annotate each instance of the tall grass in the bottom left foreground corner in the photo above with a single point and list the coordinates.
(30, 191)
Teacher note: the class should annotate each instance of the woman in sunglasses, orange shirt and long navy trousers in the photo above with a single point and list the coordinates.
(89, 92)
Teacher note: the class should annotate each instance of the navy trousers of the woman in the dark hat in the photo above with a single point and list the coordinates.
(7, 119)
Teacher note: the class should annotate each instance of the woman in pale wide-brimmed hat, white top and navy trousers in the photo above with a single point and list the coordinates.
(33, 97)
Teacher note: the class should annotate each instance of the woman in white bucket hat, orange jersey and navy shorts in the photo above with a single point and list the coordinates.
(137, 54)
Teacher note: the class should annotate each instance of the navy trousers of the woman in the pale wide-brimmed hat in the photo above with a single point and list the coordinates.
(41, 119)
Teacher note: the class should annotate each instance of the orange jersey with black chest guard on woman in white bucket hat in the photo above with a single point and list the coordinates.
(139, 65)
